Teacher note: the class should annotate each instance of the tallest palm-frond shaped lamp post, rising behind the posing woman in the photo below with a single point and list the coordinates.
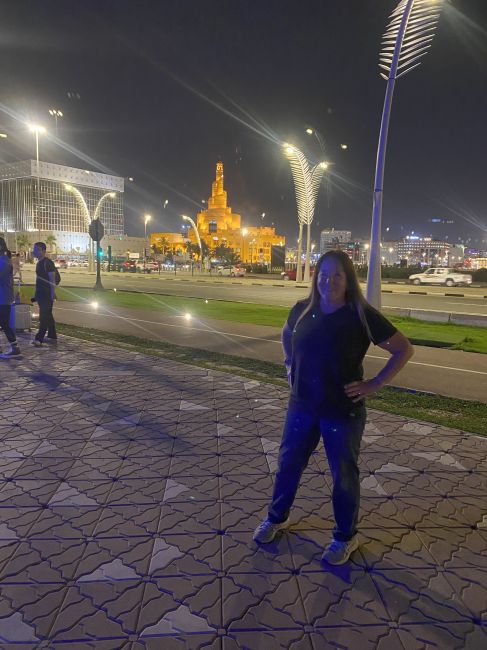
(407, 39)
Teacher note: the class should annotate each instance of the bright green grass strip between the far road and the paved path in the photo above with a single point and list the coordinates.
(457, 337)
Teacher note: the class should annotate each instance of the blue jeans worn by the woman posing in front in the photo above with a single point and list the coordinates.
(342, 437)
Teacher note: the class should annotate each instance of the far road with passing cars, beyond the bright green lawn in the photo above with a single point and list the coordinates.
(463, 300)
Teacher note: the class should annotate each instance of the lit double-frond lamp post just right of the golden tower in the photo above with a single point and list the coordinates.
(307, 180)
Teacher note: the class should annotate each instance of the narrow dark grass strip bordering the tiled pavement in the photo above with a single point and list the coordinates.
(447, 411)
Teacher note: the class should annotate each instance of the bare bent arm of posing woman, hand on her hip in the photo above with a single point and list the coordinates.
(400, 350)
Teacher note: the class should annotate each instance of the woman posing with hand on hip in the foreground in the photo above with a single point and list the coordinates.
(325, 340)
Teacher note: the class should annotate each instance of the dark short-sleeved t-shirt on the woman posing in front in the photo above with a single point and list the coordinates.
(327, 353)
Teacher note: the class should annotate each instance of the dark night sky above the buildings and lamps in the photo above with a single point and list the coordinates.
(168, 87)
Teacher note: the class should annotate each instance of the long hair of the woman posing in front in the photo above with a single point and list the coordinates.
(353, 292)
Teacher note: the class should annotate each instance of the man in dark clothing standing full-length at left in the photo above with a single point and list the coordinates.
(45, 295)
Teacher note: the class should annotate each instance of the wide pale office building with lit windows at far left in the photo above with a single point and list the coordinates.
(47, 199)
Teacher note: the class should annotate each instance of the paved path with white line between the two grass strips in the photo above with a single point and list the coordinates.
(447, 372)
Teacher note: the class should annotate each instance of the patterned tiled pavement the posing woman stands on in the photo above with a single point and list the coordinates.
(129, 489)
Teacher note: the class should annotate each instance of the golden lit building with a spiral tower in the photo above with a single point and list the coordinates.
(219, 226)
